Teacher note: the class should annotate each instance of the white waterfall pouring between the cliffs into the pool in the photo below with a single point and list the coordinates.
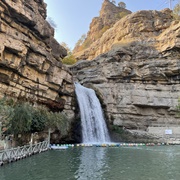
(94, 129)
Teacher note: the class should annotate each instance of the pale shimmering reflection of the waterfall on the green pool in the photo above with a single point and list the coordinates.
(92, 164)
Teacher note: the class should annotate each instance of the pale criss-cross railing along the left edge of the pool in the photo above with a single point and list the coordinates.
(14, 154)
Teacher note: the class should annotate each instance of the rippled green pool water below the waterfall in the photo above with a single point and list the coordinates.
(98, 163)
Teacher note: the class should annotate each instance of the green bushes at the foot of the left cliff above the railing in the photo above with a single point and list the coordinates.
(25, 118)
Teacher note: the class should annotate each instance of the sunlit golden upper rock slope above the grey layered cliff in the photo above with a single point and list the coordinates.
(142, 26)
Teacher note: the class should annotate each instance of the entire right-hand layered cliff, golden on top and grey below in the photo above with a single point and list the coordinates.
(138, 75)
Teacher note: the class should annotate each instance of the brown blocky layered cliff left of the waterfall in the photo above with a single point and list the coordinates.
(30, 57)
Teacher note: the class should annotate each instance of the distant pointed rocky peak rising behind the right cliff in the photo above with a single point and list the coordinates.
(108, 16)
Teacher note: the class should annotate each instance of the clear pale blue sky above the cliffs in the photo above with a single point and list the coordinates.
(73, 17)
